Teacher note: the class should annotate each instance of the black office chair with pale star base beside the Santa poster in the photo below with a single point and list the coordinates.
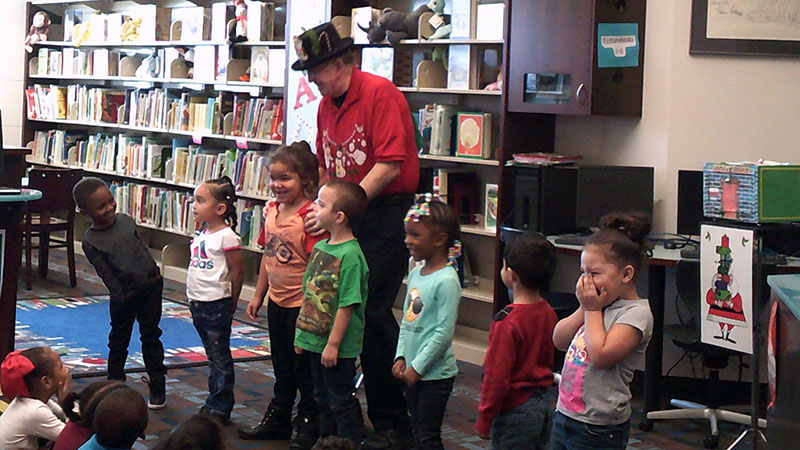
(687, 337)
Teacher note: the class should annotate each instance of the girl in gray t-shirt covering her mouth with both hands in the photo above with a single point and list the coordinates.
(605, 339)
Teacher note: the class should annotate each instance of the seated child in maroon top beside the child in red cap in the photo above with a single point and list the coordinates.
(79, 409)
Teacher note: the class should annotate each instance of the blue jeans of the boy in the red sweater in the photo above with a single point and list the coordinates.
(526, 426)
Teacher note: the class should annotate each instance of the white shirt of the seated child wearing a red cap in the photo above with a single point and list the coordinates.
(28, 419)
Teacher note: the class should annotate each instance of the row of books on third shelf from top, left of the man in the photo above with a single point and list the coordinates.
(160, 108)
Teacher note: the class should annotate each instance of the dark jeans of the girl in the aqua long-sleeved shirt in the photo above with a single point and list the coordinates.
(427, 401)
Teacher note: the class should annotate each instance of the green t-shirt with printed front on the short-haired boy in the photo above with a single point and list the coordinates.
(336, 277)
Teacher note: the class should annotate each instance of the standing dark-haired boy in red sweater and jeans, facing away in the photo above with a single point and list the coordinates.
(517, 369)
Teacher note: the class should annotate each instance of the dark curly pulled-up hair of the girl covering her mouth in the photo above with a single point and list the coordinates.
(625, 237)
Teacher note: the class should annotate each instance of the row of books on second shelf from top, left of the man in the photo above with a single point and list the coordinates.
(208, 64)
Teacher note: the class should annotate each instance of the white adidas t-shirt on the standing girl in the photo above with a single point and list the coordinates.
(209, 279)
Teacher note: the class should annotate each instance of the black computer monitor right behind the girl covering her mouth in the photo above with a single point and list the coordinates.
(607, 189)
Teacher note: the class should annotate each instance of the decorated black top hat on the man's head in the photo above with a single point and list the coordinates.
(319, 44)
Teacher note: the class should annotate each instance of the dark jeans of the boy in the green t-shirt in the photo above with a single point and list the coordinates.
(334, 388)
